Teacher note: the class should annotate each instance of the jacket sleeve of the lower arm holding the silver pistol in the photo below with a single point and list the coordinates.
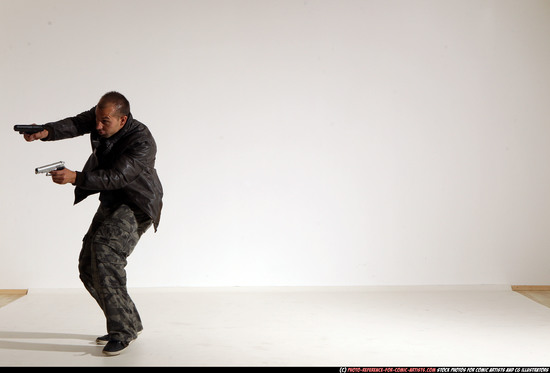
(127, 167)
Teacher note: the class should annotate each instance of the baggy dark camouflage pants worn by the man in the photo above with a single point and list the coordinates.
(113, 234)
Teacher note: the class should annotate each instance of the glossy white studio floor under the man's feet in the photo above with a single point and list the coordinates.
(487, 326)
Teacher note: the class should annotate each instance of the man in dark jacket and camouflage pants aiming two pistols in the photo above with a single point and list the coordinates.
(121, 169)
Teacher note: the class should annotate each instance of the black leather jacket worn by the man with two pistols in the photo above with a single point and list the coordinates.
(123, 164)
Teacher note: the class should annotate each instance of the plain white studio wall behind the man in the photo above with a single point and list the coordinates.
(323, 142)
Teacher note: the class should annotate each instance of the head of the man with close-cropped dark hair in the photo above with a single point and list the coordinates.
(111, 114)
